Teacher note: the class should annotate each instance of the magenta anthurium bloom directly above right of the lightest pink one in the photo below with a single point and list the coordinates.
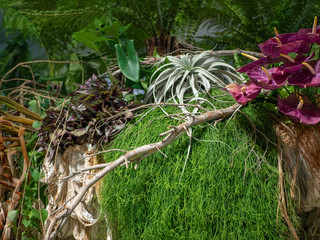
(268, 78)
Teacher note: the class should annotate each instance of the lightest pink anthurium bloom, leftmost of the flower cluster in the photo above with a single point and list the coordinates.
(243, 93)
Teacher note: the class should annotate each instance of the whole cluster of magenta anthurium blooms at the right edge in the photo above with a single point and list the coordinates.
(299, 74)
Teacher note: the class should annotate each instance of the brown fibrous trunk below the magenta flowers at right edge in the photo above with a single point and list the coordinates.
(300, 145)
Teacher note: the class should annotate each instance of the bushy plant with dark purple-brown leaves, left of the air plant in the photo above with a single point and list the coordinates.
(86, 117)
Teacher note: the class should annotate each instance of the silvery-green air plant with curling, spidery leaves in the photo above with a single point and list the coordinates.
(187, 77)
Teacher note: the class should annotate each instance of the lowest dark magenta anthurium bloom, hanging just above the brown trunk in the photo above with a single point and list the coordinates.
(301, 110)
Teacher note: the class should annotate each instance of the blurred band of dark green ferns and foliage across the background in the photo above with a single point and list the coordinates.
(61, 28)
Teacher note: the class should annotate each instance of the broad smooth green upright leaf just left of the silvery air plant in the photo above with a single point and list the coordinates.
(129, 65)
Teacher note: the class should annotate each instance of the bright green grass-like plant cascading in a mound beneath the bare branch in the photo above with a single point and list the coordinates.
(228, 189)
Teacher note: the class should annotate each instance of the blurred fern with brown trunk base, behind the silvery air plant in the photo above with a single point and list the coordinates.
(157, 21)
